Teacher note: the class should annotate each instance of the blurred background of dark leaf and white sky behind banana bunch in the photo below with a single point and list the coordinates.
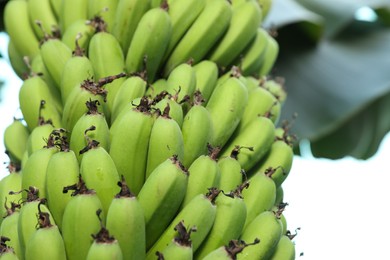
(335, 59)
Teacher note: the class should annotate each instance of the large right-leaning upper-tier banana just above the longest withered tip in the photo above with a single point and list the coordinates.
(149, 42)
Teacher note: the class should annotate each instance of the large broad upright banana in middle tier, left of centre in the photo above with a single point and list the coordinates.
(130, 134)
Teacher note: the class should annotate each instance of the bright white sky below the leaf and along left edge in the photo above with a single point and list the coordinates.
(340, 206)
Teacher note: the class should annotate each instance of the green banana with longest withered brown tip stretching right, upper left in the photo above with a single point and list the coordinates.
(75, 108)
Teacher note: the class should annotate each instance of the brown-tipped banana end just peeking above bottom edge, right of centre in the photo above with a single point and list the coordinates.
(229, 251)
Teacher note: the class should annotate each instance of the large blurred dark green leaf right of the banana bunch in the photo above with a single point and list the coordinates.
(340, 85)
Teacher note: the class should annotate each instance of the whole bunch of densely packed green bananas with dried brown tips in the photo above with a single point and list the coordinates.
(151, 130)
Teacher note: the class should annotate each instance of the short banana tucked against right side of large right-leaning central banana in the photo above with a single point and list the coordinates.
(203, 174)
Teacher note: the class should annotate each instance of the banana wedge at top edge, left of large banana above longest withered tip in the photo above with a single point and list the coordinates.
(127, 16)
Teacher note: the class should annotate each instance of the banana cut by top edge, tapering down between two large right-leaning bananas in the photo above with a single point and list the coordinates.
(183, 14)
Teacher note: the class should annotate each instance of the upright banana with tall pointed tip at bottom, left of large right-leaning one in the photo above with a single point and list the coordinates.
(126, 222)
